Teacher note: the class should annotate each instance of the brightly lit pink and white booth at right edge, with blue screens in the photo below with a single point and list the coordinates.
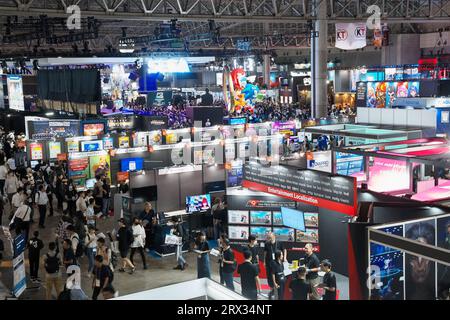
(412, 167)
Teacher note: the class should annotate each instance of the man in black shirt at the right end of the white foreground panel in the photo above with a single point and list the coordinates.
(249, 277)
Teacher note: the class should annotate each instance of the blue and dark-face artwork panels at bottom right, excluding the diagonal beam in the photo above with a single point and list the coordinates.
(397, 275)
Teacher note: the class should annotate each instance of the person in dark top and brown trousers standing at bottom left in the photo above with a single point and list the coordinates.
(52, 261)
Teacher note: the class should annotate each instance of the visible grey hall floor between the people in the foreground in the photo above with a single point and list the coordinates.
(160, 272)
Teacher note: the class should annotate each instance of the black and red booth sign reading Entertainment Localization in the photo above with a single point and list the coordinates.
(337, 193)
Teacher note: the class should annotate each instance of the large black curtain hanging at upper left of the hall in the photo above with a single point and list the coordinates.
(74, 85)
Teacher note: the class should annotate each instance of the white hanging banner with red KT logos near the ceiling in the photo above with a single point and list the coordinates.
(351, 36)
